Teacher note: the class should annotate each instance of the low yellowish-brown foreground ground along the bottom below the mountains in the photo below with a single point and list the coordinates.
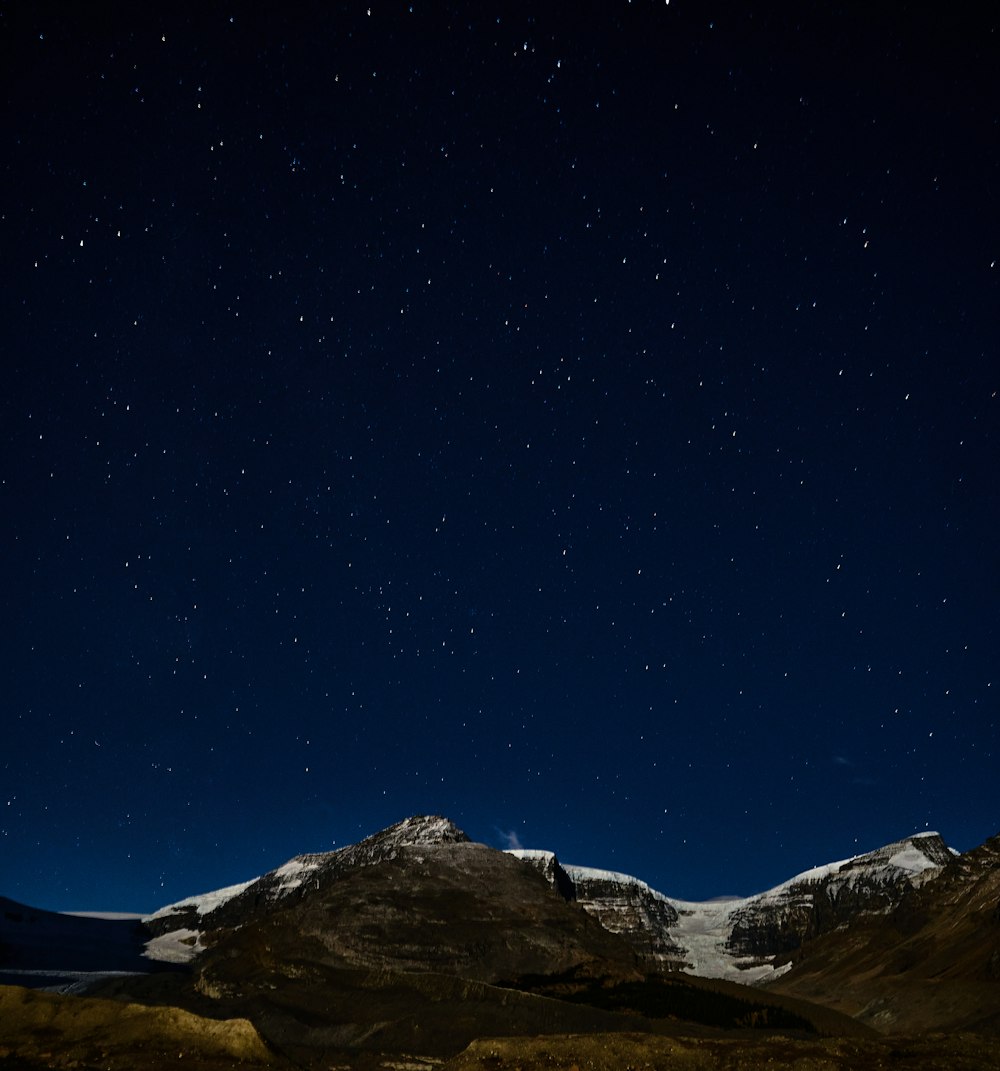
(77, 1034)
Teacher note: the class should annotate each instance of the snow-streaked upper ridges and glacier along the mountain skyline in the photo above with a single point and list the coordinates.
(751, 940)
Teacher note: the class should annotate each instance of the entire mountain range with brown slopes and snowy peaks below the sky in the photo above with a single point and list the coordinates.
(418, 940)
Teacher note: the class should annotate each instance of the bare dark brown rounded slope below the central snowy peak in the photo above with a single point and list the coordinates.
(453, 909)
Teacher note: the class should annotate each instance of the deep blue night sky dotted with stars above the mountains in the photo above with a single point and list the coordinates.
(581, 423)
